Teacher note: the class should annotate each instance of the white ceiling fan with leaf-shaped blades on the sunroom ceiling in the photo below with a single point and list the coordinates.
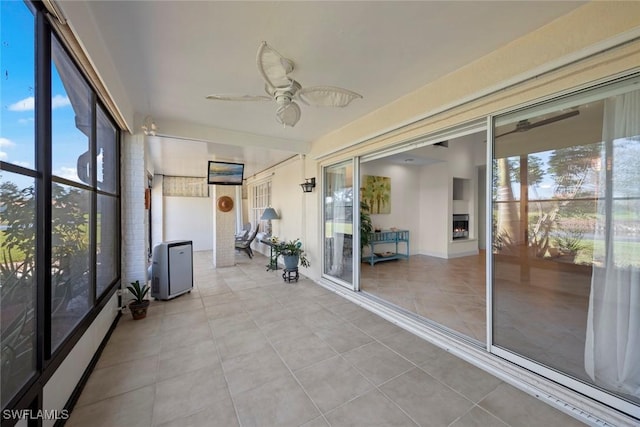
(282, 89)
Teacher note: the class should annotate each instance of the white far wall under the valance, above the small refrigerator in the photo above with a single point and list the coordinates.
(189, 218)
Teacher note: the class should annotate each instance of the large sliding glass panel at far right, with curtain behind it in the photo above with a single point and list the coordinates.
(566, 238)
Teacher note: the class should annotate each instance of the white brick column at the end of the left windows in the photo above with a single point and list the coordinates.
(134, 215)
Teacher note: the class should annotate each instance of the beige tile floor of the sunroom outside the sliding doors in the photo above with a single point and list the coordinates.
(246, 349)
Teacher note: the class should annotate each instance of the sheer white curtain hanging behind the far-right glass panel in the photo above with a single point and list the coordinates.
(612, 348)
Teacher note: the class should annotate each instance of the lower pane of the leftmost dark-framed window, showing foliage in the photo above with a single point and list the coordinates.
(18, 279)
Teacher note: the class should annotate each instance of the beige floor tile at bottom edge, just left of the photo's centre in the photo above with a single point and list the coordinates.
(281, 403)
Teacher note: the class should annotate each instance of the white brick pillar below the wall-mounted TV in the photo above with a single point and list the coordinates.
(224, 225)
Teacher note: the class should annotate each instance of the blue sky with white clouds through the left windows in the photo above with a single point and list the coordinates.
(17, 94)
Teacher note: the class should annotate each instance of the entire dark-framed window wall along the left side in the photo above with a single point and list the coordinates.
(59, 204)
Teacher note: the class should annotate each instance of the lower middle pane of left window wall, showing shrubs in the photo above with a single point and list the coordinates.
(70, 274)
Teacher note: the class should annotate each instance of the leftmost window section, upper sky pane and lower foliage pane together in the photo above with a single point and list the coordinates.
(17, 203)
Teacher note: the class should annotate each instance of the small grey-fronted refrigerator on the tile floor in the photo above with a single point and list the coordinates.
(172, 269)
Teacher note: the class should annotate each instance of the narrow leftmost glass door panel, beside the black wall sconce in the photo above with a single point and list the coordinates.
(338, 224)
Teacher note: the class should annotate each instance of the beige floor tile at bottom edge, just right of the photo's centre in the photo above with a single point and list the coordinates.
(370, 409)
